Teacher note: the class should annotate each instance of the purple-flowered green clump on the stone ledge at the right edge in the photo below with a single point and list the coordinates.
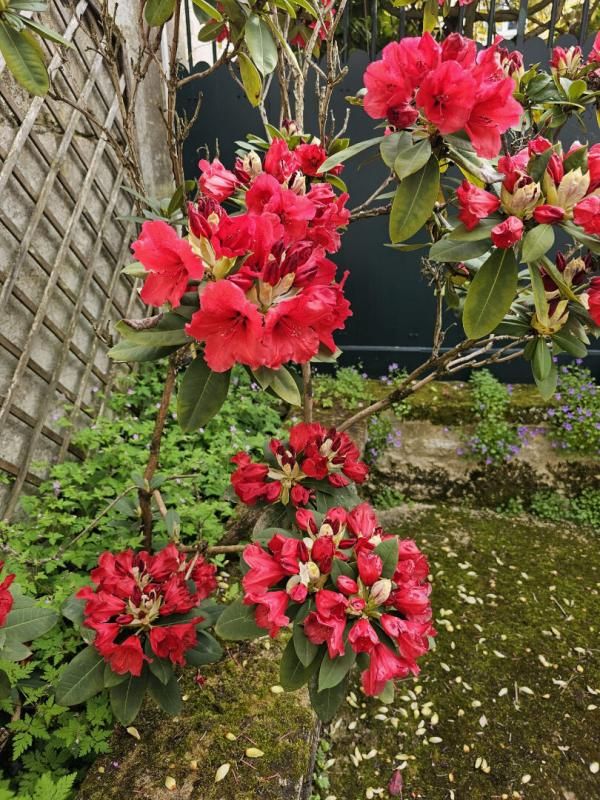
(575, 418)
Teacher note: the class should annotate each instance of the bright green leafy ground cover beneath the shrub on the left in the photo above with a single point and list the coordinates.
(51, 744)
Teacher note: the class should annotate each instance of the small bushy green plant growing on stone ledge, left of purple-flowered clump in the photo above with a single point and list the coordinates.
(495, 439)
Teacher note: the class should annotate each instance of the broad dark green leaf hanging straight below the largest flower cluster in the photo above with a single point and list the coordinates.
(201, 395)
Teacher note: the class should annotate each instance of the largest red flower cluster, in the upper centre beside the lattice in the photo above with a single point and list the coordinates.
(267, 291)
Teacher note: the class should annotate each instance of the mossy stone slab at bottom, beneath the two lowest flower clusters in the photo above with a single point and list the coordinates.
(236, 698)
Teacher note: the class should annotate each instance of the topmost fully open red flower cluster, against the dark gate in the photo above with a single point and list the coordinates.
(447, 87)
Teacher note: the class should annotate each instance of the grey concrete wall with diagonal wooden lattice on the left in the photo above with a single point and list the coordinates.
(62, 245)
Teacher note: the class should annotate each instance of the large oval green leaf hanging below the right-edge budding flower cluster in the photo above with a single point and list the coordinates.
(490, 294)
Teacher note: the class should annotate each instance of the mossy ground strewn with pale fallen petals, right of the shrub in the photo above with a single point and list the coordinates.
(514, 679)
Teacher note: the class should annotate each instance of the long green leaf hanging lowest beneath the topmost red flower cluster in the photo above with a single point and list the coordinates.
(414, 201)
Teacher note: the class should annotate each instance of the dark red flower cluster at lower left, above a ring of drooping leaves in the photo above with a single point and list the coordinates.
(142, 606)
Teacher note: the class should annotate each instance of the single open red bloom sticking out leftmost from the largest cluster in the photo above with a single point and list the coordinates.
(170, 261)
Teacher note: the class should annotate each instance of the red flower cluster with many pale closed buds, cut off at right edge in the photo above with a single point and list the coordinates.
(568, 189)
